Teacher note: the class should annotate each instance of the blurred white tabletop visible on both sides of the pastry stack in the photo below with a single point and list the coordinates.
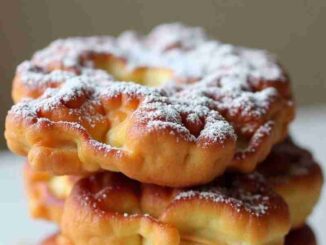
(17, 228)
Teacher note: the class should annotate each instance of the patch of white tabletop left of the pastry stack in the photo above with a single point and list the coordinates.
(16, 227)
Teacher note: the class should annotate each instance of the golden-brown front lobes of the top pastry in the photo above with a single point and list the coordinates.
(147, 151)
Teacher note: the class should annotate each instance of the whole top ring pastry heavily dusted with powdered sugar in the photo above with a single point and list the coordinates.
(173, 108)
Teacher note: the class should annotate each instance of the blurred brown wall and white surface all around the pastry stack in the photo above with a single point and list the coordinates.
(295, 30)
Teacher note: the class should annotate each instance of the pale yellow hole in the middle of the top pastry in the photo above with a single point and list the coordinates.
(118, 68)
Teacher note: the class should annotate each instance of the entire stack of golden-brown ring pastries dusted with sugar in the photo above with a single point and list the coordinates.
(164, 139)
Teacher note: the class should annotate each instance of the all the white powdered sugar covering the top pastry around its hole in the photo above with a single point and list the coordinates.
(224, 96)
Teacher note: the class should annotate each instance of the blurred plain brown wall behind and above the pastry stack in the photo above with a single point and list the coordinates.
(294, 30)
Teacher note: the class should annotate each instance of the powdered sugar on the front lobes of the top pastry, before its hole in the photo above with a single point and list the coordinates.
(156, 111)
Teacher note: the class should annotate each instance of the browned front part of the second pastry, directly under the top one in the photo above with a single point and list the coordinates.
(110, 208)
